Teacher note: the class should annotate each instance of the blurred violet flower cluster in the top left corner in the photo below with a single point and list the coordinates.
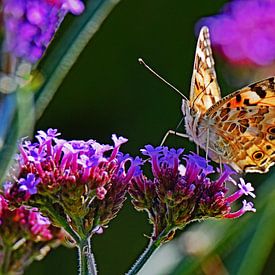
(31, 24)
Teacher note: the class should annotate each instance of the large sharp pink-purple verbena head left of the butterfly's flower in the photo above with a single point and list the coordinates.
(84, 182)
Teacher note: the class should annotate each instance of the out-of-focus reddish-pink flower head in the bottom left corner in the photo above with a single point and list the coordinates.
(25, 236)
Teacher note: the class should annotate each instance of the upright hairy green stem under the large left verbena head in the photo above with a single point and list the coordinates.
(86, 258)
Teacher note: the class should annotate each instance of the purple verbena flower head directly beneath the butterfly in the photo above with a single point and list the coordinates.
(179, 194)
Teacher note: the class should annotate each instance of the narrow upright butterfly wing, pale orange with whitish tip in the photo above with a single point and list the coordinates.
(204, 91)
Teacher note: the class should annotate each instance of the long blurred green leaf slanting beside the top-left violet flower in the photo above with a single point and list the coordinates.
(61, 59)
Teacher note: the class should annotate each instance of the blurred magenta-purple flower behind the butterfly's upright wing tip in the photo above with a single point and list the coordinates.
(244, 31)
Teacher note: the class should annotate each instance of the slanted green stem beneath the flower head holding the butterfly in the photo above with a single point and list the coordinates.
(154, 244)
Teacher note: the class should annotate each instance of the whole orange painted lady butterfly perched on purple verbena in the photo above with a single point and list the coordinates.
(238, 129)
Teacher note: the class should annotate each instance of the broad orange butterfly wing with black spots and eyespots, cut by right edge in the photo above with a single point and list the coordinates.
(242, 129)
